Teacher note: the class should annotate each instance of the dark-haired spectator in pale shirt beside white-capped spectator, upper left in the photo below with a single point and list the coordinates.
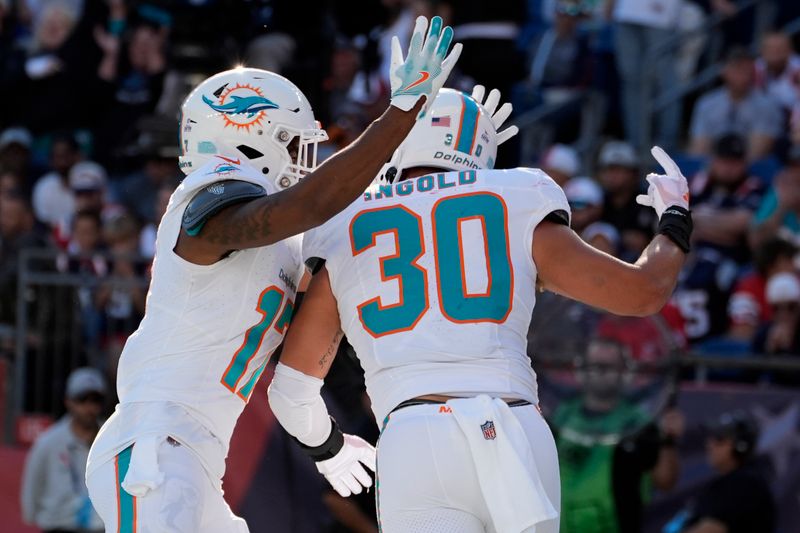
(53, 200)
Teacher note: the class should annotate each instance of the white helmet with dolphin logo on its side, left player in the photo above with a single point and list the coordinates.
(252, 114)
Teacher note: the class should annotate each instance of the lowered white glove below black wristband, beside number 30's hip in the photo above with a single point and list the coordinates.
(344, 471)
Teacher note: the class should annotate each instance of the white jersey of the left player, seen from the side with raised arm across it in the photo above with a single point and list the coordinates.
(207, 333)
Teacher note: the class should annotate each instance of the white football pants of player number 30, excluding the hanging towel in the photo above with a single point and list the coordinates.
(427, 480)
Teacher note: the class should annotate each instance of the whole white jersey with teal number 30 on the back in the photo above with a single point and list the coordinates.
(435, 282)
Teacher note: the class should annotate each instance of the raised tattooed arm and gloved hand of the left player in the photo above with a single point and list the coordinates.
(340, 179)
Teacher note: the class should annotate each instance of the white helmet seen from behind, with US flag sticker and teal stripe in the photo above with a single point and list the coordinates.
(456, 133)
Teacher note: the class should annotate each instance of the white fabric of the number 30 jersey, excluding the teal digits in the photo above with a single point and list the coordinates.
(438, 355)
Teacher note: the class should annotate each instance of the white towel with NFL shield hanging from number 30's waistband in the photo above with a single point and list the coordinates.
(508, 476)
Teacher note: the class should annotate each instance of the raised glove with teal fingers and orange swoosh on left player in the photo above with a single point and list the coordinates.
(425, 69)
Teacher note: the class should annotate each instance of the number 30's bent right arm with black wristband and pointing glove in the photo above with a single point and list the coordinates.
(569, 266)
